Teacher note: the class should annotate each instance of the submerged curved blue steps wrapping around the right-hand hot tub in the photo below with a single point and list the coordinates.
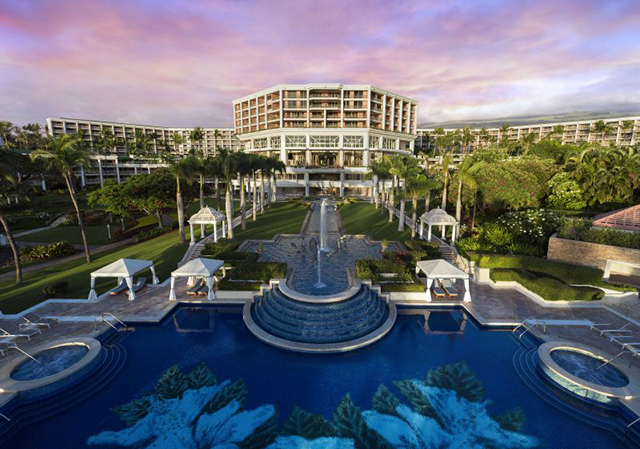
(613, 418)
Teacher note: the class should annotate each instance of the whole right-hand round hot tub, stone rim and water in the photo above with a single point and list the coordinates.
(586, 372)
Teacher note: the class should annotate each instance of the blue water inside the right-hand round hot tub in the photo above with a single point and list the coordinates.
(589, 368)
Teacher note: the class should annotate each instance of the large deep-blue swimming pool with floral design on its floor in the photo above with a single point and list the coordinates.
(436, 379)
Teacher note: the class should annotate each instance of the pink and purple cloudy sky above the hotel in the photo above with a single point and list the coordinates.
(166, 62)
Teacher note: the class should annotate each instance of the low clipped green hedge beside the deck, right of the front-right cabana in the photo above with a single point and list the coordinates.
(547, 287)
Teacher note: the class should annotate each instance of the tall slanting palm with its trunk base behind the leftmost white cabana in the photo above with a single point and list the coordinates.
(62, 157)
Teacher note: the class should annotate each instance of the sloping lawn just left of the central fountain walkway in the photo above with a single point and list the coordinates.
(281, 218)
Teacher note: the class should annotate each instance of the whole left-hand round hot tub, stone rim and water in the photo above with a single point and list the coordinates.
(63, 360)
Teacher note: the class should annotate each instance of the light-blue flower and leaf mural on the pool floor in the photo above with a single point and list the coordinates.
(447, 409)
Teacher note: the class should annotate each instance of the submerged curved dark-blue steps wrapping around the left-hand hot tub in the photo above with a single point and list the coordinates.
(24, 411)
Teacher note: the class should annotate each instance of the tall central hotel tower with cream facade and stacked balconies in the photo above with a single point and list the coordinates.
(327, 135)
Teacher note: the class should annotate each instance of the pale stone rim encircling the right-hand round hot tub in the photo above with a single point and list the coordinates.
(629, 391)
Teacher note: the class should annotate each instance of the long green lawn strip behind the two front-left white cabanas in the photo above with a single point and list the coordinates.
(165, 251)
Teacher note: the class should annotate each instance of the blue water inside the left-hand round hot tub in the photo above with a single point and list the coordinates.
(52, 361)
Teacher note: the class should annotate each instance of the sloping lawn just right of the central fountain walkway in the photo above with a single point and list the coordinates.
(364, 218)
